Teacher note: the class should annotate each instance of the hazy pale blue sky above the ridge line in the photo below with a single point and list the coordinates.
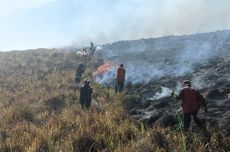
(29, 24)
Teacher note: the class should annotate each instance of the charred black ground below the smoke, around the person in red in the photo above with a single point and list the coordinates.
(212, 80)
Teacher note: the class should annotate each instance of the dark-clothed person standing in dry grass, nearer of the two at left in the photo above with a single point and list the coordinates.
(85, 95)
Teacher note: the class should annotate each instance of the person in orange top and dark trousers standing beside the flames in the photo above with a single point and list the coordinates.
(120, 81)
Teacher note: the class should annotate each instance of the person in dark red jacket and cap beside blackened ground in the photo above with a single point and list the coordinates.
(191, 100)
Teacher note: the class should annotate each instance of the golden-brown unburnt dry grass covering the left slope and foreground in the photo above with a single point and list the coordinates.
(40, 112)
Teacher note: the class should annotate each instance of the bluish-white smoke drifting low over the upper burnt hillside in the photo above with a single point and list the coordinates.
(148, 59)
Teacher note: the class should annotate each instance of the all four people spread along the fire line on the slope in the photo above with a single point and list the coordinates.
(191, 99)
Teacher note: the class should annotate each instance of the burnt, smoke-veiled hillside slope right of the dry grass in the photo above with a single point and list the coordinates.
(157, 66)
